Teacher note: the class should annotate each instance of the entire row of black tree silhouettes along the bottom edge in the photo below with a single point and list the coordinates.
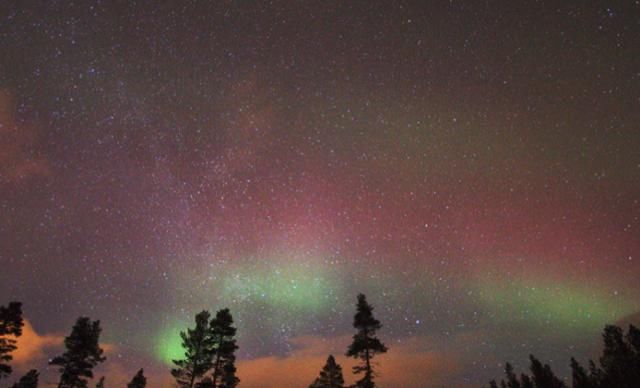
(209, 356)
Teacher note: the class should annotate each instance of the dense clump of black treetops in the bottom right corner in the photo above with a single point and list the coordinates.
(619, 366)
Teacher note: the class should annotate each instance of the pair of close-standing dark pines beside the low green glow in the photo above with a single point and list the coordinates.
(210, 346)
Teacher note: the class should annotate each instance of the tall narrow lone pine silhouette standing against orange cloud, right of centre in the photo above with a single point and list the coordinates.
(365, 344)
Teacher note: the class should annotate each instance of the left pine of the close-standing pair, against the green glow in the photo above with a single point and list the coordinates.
(198, 346)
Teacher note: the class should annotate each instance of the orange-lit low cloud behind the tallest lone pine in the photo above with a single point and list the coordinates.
(407, 364)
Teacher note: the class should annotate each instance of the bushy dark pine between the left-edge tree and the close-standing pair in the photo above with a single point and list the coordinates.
(82, 354)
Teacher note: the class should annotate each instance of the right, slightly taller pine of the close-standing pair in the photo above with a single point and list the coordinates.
(224, 345)
